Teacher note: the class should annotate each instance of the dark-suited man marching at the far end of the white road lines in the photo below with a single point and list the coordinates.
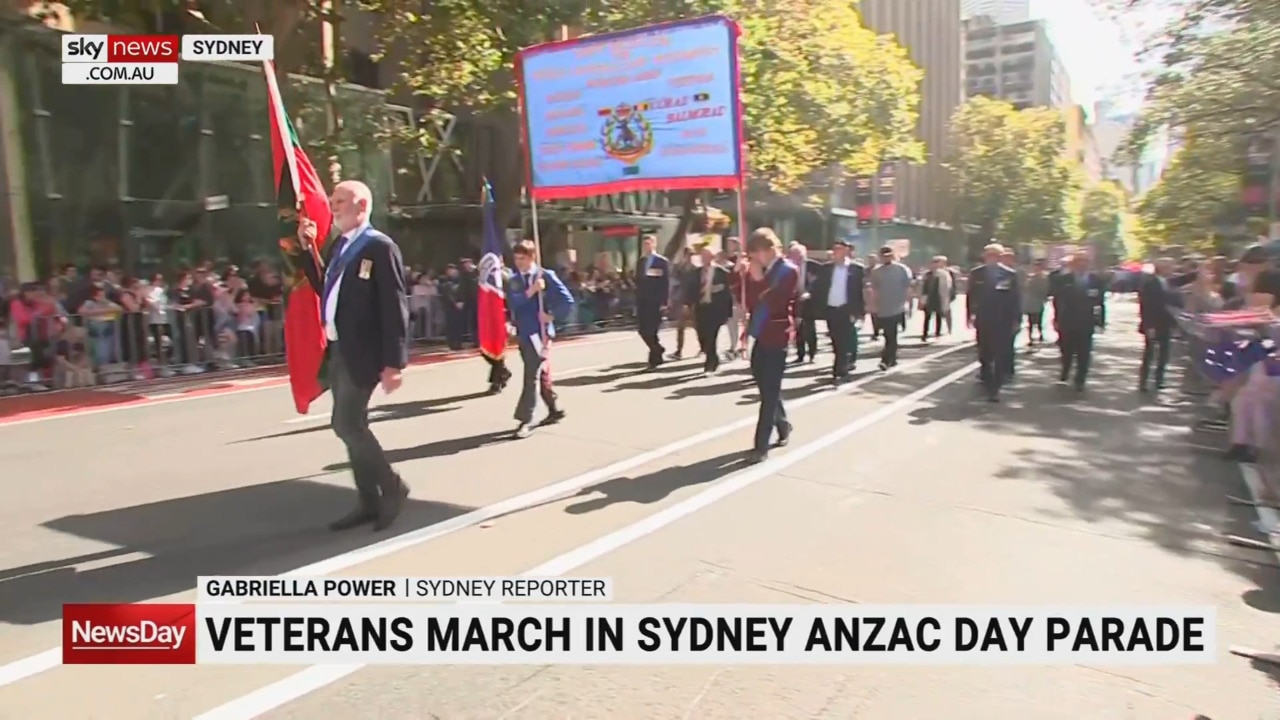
(994, 308)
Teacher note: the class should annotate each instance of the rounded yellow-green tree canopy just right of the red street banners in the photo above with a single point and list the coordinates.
(1011, 176)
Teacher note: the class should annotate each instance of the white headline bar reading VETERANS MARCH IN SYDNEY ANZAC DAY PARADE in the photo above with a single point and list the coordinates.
(702, 635)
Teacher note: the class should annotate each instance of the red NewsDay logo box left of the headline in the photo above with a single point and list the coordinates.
(129, 635)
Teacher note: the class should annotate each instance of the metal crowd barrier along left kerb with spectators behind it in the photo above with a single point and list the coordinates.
(80, 350)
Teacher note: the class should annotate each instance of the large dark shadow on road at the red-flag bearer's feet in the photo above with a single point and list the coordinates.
(262, 530)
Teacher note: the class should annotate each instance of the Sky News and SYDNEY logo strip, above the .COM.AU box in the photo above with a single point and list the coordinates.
(167, 48)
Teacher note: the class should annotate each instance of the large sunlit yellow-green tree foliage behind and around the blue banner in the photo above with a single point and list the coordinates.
(821, 92)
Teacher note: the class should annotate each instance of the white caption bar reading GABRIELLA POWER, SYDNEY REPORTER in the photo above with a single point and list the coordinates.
(226, 590)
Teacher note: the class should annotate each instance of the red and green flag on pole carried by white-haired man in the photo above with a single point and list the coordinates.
(299, 193)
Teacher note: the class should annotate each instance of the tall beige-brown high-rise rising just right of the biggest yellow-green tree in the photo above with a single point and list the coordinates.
(934, 37)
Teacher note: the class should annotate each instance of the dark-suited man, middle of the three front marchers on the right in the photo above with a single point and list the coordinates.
(1077, 312)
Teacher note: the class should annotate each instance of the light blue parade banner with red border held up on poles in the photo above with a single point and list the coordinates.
(653, 108)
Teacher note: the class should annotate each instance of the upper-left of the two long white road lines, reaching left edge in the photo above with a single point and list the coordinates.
(48, 660)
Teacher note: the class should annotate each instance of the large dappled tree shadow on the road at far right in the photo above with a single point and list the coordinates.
(1126, 457)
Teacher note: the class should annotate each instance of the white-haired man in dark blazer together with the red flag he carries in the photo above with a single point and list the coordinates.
(353, 336)
